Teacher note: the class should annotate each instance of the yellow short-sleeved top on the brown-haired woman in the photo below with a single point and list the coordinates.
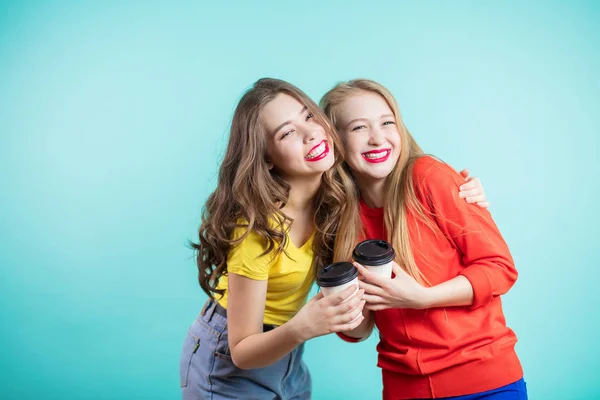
(289, 277)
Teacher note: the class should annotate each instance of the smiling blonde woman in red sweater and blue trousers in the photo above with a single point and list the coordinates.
(440, 319)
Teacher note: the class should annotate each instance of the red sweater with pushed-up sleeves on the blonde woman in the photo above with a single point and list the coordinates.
(443, 352)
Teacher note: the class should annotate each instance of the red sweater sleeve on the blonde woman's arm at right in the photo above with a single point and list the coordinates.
(488, 264)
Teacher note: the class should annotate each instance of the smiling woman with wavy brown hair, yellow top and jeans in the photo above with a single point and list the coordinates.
(271, 218)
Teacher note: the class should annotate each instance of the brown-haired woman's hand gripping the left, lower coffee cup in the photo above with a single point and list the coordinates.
(335, 313)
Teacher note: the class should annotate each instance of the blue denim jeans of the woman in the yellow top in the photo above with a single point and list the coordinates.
(207, 372)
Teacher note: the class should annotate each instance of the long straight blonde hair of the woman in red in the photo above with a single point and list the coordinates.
(400, 195)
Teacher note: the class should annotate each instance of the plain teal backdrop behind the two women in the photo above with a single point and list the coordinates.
(114, 116)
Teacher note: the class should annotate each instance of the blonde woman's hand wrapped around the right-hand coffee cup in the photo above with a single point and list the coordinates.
(381, 293)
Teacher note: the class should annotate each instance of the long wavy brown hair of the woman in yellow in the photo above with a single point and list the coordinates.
(250, 196)
